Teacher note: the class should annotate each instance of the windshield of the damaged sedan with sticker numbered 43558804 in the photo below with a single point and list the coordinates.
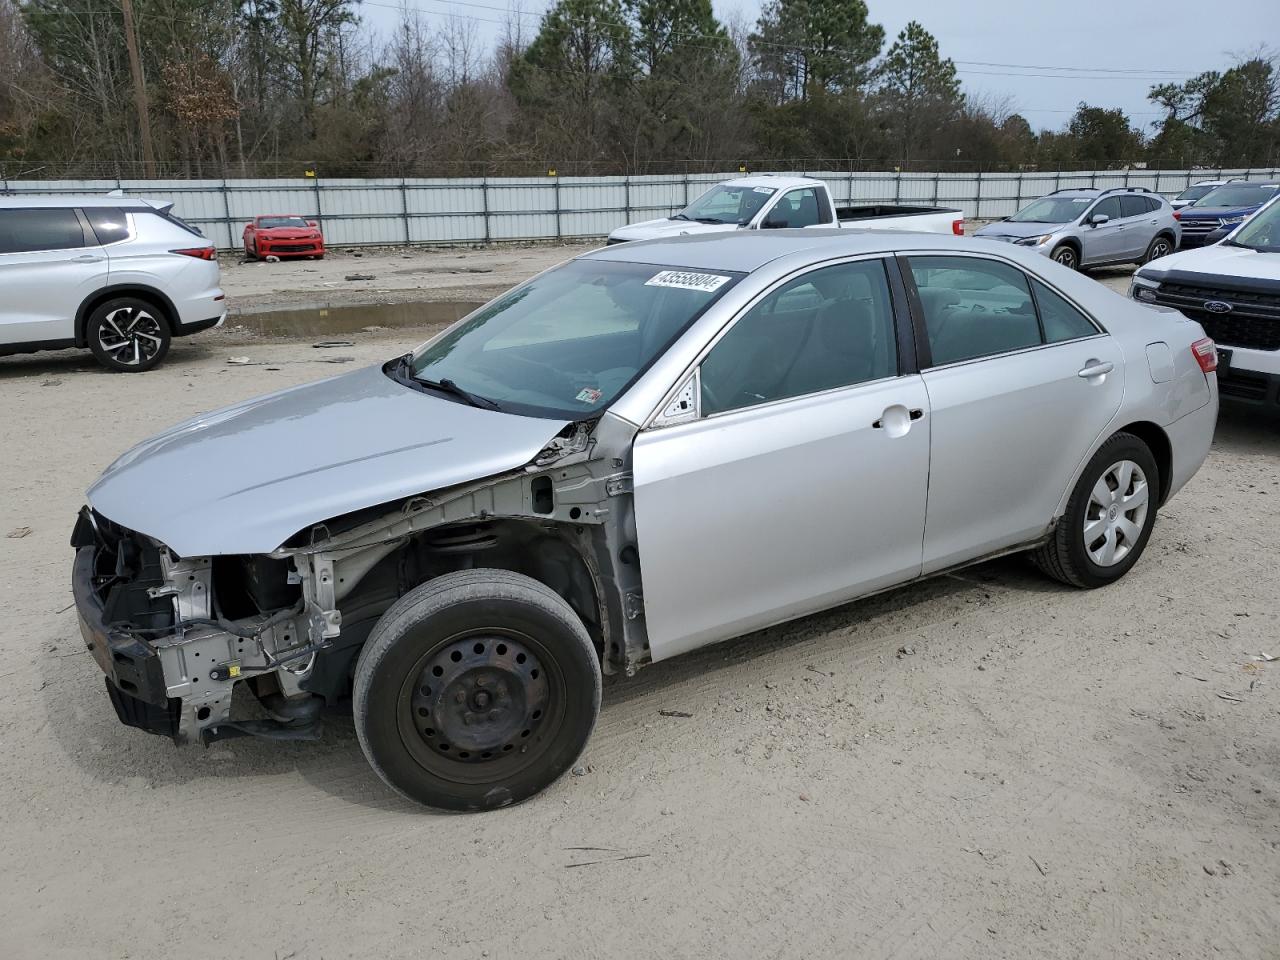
(569, 342)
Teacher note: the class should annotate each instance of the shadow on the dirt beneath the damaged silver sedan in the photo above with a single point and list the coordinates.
(86, 729)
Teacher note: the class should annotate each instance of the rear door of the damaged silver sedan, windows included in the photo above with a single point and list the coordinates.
(1022, 383)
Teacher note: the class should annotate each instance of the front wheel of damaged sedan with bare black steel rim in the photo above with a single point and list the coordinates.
(477, 691)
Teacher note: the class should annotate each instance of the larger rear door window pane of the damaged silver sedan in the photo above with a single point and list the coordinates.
(975, 308)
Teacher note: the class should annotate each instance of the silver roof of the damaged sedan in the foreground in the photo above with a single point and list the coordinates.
(751, 250)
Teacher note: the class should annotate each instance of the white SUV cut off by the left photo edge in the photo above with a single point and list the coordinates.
(118, 276)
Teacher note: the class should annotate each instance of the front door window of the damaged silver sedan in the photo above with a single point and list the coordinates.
(830, 328)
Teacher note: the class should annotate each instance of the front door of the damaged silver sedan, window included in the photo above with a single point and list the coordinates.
(803, 481)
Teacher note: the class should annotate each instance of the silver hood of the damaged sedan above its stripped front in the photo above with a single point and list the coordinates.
(246, 478)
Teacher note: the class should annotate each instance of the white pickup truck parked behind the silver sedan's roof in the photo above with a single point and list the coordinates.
(767, 203)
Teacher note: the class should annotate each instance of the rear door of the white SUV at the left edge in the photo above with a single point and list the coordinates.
(51, 263)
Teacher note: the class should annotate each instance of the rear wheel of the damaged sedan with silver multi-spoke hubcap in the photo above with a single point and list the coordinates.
(1109, 518)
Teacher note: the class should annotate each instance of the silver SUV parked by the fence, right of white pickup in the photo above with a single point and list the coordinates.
(1094, 227)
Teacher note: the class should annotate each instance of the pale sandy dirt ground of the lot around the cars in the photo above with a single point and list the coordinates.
(982, 766)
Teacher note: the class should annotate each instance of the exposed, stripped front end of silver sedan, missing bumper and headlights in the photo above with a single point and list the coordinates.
(176, 636)
